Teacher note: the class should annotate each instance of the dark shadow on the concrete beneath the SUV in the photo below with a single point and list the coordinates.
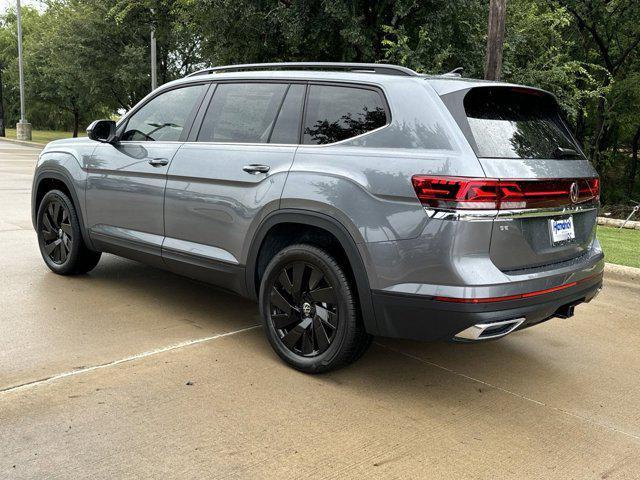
(391, 365)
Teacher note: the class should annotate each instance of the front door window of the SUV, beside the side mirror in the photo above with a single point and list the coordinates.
(163, 118)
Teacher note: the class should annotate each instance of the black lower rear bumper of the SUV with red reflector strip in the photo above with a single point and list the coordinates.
(419, 317)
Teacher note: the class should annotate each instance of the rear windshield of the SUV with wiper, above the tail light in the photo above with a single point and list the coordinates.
(517, 123)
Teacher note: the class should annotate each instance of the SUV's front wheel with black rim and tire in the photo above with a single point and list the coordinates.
(60, 238)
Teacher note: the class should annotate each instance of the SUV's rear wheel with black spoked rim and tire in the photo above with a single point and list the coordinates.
(309, 312)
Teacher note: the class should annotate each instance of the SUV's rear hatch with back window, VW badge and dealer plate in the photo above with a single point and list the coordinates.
(549, 191)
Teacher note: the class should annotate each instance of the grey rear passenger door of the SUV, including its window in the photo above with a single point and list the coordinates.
(230, 177)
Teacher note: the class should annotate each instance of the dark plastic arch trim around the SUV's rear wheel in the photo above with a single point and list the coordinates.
(338, 230)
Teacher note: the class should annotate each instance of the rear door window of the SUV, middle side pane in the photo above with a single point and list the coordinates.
(242, 112)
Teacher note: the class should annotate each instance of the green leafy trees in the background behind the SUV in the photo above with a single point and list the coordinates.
(89, 58)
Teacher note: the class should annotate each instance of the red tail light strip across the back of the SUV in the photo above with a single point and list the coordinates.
(495, 194)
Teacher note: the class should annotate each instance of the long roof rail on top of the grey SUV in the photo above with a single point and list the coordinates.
(380, 68)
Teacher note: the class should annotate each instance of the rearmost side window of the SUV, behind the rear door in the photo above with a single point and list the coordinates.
(337, 113)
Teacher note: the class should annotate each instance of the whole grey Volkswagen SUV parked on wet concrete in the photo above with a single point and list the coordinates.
(350, 200)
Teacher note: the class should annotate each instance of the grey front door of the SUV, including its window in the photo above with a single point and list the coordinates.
(126, 181)
